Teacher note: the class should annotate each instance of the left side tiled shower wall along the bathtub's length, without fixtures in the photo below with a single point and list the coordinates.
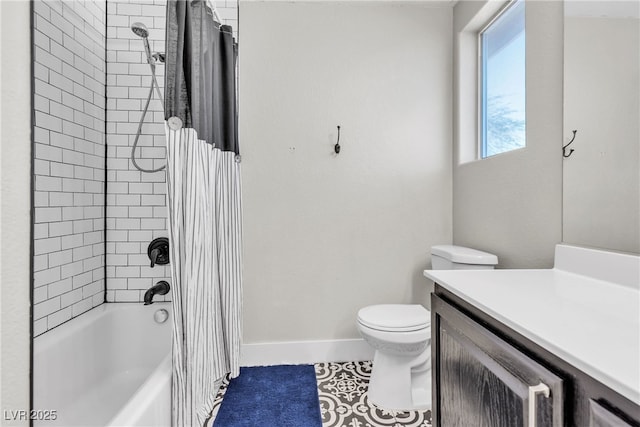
(69, 160)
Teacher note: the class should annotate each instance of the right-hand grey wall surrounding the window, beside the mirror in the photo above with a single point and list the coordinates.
(511, 204)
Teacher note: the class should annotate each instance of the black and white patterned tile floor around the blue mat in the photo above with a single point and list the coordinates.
(342, 391)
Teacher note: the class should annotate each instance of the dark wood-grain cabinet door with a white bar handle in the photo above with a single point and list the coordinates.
(481, 380)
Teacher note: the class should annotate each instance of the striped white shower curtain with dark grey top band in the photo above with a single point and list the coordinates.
(205, 212)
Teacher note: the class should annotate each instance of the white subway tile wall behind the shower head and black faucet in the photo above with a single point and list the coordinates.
(136, 201)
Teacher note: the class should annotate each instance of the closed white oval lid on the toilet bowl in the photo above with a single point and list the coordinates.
(395, 317)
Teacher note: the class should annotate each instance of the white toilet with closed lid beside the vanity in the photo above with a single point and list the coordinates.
(401, 336)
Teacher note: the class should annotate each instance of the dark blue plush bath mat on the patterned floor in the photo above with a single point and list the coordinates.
(271, 396)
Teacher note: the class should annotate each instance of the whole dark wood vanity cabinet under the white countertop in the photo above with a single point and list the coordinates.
(485, 374)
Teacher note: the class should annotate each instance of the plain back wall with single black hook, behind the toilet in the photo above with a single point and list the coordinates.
(326, 235)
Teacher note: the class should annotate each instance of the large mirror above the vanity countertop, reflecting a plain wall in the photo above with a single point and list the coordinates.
(601, 177)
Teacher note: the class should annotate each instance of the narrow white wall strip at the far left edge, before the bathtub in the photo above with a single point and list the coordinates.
(15, 170)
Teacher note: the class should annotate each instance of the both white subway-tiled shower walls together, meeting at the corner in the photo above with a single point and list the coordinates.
(91, 74)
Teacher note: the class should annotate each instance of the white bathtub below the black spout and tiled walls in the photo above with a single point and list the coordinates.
(110, 366)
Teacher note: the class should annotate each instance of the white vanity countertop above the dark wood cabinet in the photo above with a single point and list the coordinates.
(592, 324)
